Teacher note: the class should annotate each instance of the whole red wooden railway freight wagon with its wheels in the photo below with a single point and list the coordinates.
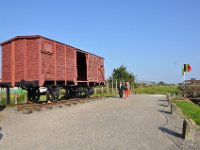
(31, 62)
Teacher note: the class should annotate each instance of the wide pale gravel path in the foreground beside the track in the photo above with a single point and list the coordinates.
(137, 123)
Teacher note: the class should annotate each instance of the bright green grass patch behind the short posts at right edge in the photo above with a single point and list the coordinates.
(190, 110)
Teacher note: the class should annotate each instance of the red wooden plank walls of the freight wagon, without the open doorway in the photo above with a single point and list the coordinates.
(36, 58)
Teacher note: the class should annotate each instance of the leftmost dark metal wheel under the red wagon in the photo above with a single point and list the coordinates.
(33, 94)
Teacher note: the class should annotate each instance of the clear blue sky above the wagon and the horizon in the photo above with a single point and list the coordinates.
(152, 38)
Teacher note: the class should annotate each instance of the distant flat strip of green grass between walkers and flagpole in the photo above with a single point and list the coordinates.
(158, 90)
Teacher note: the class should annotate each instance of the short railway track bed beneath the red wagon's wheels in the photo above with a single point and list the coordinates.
(30, 107)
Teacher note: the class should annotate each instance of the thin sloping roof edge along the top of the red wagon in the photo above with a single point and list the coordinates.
(39, 36)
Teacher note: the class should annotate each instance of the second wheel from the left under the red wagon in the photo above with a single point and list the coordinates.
(53, 94)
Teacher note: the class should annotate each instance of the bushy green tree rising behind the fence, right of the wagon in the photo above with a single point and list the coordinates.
(122, 74)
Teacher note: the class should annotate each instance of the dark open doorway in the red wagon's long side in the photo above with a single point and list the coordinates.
(81, 66)
